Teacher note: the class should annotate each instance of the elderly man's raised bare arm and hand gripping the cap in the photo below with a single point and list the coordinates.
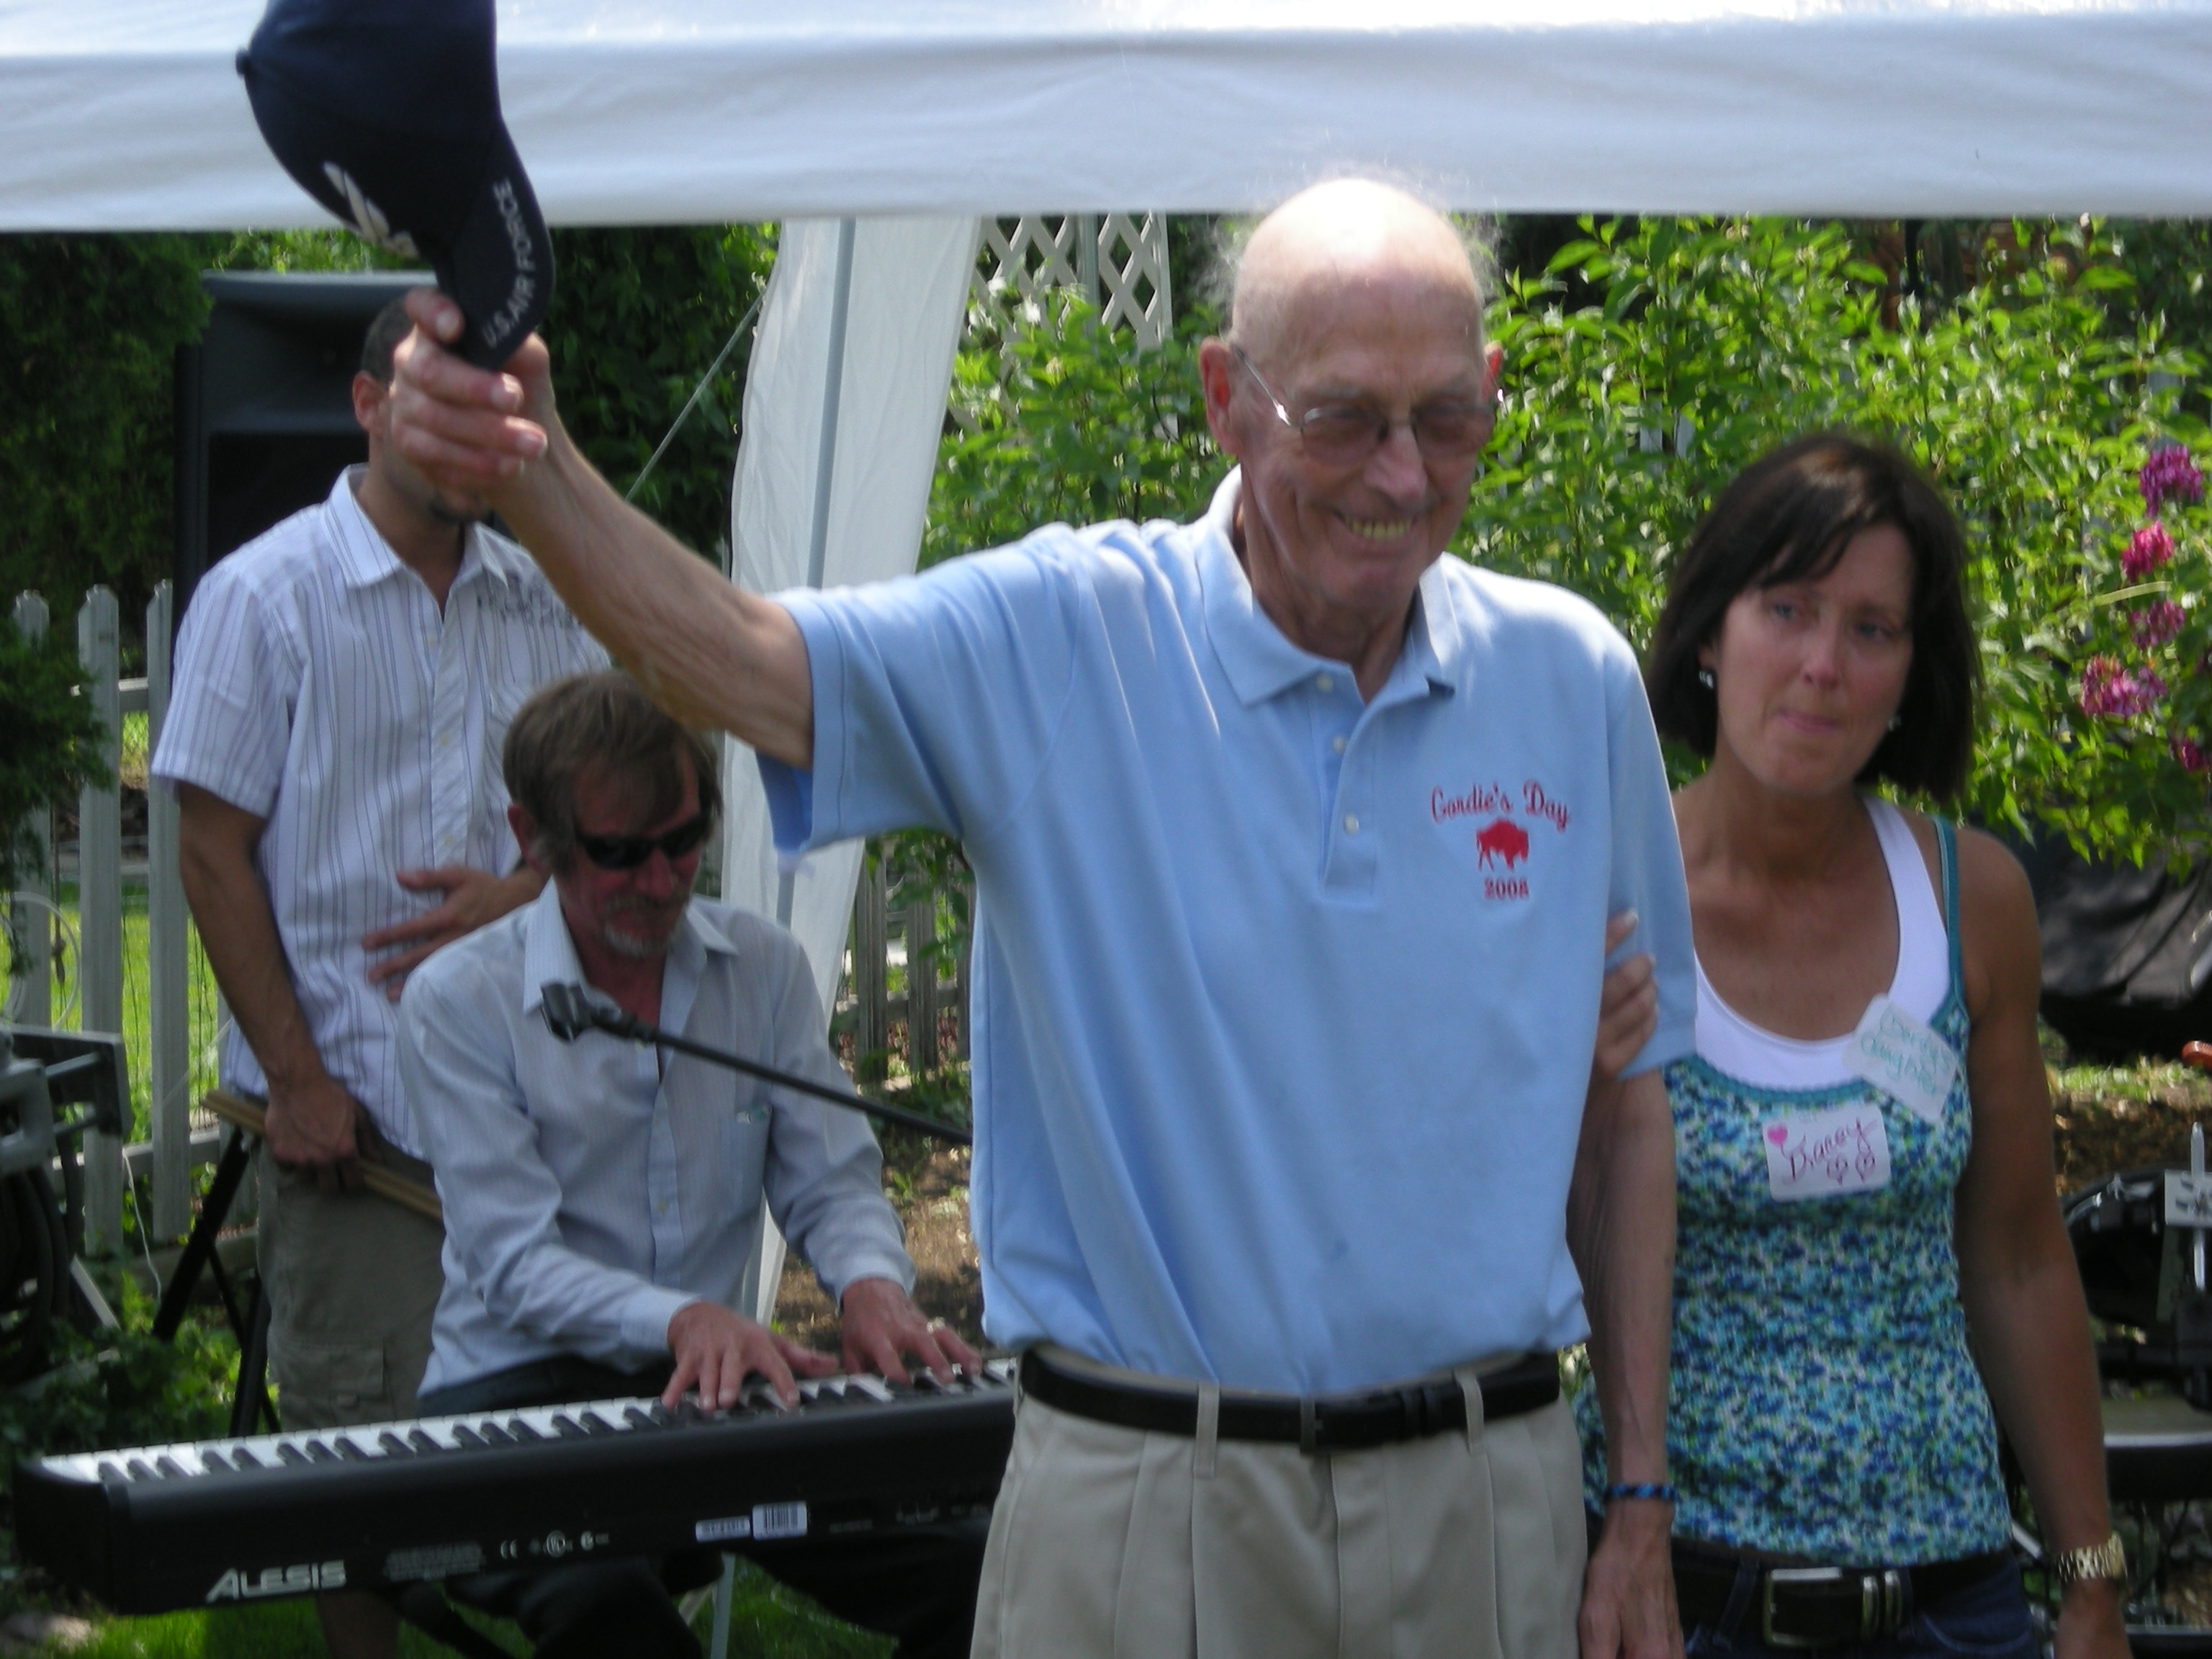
(707, 651)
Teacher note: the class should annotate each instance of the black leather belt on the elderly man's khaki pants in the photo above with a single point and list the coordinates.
(1311, 1423)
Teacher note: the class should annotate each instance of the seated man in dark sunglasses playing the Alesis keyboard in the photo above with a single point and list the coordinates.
(603, 1202)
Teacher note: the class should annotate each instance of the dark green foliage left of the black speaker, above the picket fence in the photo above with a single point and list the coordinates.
(90, 331)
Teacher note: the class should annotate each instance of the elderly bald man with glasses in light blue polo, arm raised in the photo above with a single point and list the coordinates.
(1295, 851)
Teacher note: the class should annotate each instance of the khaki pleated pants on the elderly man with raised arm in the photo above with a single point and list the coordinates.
(1123, 1545)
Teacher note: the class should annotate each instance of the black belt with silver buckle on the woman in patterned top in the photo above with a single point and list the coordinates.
(1822, 1607)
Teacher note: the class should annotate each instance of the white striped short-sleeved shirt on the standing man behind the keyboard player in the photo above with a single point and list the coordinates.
(322, 689)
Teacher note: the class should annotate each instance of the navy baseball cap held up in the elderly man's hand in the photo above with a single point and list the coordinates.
(388, 114)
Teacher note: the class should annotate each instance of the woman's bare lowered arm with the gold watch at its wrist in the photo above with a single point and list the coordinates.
(2016, 1271)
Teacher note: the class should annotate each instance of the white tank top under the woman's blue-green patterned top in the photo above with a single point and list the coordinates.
(1733, 1045)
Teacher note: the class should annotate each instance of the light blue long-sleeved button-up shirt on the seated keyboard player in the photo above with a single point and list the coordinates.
(587, 1193)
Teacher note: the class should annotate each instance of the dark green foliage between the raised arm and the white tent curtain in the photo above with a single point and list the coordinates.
(638, 317)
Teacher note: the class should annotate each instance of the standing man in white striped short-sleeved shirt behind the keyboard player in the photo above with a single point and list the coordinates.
(344, 687)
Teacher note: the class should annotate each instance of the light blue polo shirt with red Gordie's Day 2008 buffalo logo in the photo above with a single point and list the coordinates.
(1284, 1001)
